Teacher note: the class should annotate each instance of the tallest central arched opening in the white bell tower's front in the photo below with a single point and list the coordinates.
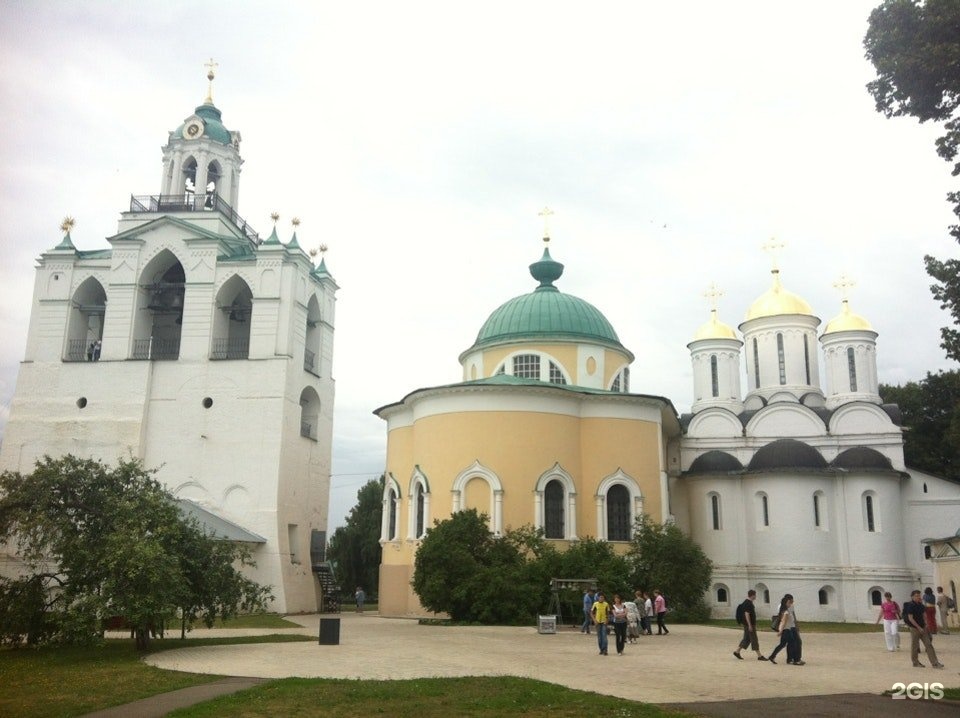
(159, 316)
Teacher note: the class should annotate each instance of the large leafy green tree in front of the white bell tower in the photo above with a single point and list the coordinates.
(97, 541)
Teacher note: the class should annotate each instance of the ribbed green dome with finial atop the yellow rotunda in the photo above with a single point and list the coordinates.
(546, 313)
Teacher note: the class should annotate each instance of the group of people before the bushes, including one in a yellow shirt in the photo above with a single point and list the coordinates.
(629, 619)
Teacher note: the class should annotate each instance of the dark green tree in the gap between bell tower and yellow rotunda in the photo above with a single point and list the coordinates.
(355, 546)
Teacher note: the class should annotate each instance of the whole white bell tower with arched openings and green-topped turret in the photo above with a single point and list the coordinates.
(199, 348)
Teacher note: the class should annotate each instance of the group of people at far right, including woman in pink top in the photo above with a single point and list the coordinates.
(920, 616)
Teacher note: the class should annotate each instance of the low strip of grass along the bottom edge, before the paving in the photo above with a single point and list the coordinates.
(420, 698)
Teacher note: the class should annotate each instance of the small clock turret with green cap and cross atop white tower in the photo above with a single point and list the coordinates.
(201, 160)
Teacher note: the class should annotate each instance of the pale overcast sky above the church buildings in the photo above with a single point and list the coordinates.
(419, 141)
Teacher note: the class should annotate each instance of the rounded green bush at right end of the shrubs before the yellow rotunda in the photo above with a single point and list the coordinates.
(663, 557)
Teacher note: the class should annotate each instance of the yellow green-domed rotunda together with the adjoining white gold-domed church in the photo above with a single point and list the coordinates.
(789, 488)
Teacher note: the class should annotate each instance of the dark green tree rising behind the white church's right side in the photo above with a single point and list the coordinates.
(930, 412)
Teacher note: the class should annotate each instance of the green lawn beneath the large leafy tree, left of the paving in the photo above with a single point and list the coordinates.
(70, 681)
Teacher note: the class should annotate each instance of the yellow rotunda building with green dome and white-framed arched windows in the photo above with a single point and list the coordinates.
(542, 430)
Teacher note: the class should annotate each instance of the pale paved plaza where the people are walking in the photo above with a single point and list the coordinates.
(691, 666)
